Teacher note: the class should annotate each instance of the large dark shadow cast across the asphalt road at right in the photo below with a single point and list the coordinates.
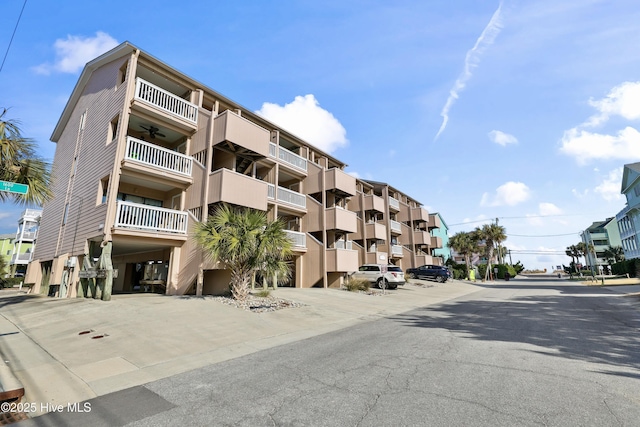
(585, 327)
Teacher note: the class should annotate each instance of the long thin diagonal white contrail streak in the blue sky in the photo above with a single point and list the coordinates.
(471, 61)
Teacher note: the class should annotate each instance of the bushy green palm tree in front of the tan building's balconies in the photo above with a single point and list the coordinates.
(245, 242)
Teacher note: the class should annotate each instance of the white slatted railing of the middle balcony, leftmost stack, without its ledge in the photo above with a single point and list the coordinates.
(160, 157)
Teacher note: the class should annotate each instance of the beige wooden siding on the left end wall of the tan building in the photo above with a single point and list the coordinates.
(95, 161)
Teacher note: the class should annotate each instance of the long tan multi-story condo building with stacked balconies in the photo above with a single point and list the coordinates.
(144, 152)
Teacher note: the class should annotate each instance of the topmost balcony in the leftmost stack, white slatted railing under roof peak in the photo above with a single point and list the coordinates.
(165, 105)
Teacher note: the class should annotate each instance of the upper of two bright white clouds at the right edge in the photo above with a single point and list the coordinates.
(623, 100)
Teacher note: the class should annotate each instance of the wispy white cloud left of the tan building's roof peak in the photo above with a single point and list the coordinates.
(74, 52)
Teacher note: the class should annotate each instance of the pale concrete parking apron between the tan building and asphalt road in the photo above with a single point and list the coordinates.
(69, 350)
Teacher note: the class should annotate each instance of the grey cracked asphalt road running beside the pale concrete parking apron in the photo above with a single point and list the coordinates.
(524, 352)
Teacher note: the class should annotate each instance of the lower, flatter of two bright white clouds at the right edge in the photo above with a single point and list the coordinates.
(585, 146)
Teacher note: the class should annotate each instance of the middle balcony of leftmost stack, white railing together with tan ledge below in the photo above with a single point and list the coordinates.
(158, 163)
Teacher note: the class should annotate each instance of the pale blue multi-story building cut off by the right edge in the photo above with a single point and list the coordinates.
(628, 219)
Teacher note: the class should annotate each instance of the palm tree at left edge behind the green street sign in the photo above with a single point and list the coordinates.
(20, 164)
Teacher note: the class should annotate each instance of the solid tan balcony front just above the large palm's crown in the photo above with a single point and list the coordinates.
(231, 187)
